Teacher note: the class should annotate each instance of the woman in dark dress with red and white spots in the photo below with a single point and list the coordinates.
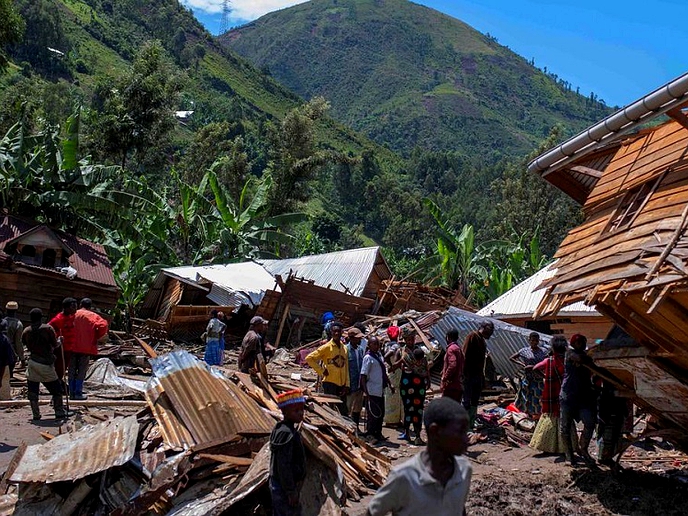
(415, 380)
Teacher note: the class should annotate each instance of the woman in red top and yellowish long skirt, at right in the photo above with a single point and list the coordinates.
(547, 436)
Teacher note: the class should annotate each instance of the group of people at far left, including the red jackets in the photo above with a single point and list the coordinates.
(64, 345)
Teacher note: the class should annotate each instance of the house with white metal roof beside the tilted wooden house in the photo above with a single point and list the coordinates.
(518, 305)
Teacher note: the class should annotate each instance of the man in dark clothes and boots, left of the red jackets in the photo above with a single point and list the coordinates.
(41, 342)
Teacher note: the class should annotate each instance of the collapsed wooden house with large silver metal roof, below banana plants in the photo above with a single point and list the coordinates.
(286, 292)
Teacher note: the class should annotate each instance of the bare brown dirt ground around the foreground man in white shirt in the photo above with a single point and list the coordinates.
(510, 481)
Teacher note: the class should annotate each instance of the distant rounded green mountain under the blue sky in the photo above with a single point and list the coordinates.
(407, 75)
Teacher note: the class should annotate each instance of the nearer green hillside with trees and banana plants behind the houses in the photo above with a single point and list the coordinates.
(92, 145)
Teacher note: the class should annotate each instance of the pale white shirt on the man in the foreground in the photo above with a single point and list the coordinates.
(410, 491)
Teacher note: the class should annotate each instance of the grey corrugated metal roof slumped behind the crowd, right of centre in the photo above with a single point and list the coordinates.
(506, 340)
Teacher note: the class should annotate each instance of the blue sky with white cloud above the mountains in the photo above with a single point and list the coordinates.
(620, 50)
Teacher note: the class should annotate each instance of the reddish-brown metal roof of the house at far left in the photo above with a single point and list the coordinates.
(89, 259)
